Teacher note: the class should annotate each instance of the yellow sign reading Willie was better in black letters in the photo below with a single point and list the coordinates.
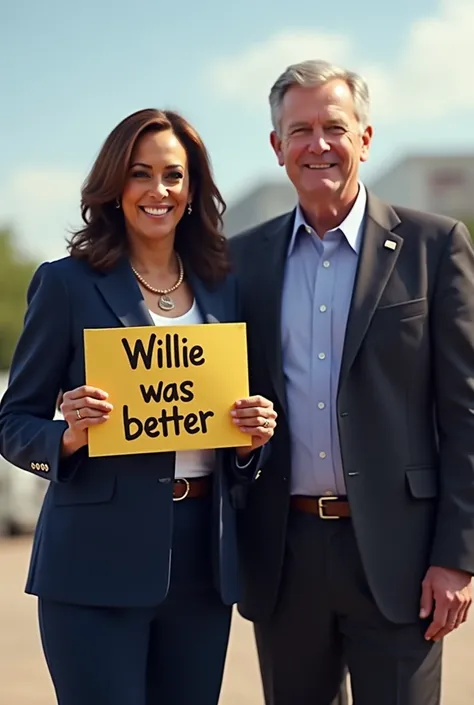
(172, 388)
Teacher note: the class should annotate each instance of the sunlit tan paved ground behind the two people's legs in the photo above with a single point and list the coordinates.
(24, 681)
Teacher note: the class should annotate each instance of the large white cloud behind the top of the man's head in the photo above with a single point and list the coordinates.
(430, 78)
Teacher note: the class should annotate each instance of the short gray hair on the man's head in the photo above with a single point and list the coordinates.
(316, 73)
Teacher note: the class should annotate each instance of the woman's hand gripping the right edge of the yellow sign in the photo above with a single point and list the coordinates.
(257, 417)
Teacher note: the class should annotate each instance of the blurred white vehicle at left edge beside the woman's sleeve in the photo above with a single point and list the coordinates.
(21, 494)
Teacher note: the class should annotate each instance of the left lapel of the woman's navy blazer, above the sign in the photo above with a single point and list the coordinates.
(122, 293)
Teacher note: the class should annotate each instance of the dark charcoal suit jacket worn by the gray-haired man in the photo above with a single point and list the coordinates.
(405, 404)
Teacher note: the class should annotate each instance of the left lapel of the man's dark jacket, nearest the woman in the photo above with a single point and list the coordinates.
(271, 273)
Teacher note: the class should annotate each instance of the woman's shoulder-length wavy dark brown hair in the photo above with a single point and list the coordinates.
(199, 239)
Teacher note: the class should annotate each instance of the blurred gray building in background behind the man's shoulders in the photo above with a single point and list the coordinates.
(439, 184)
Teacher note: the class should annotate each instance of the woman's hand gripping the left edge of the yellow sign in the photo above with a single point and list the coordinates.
(82, 408)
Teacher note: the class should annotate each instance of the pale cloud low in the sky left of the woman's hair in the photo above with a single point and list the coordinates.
(42, 204)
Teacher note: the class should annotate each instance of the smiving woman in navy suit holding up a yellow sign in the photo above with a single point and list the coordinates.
(135, 591)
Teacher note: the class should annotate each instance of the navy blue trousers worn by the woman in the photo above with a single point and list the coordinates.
(171, 654)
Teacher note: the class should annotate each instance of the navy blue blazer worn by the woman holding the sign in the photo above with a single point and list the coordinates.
(105, 529)
